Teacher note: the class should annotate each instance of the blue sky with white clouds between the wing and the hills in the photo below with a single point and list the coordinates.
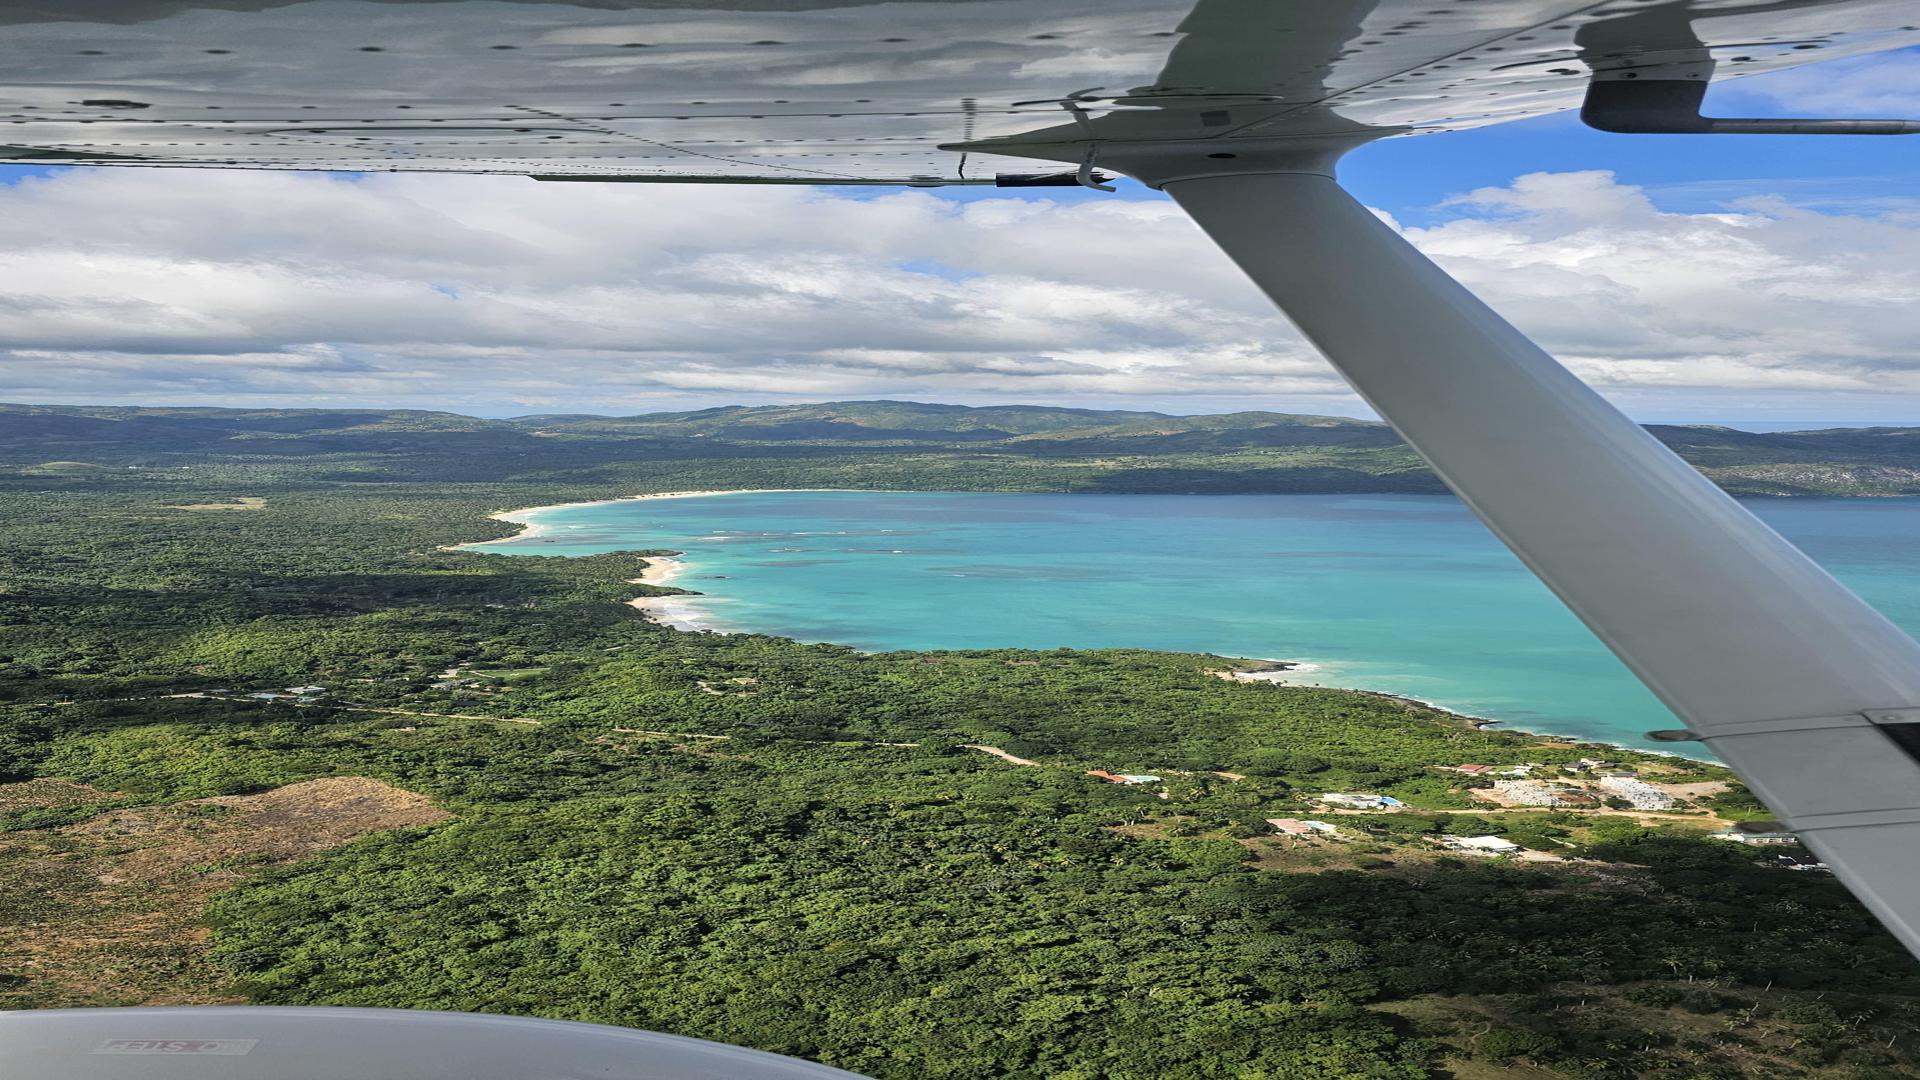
(1748, 280)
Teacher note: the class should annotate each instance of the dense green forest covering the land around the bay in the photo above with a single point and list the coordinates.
(802, 848)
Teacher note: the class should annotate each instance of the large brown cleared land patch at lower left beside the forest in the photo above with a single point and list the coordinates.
(108, 912)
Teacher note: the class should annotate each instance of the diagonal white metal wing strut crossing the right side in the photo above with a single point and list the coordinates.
(1794, 681)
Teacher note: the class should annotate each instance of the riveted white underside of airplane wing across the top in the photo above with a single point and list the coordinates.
(827, 91)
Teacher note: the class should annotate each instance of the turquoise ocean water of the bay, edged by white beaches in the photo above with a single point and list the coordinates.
(1404, 595)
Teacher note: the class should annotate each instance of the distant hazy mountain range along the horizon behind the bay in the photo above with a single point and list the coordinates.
(1184, 453)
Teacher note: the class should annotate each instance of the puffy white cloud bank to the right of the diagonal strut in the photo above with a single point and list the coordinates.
(1762, 297)
